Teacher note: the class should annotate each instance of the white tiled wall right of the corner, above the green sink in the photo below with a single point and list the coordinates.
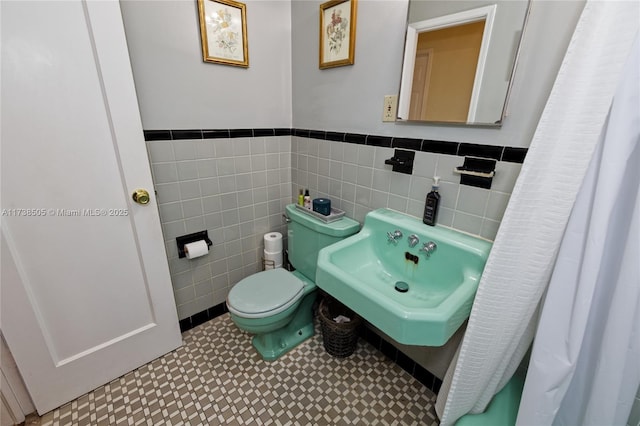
(357, 181)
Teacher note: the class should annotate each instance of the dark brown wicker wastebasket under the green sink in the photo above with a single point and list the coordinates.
(339, 339)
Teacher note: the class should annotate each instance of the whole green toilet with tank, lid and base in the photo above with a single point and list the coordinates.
(276, 305)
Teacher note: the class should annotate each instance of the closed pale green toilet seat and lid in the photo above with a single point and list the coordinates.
(264, 294)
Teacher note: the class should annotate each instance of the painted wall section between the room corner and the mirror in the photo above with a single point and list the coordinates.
(348, 98)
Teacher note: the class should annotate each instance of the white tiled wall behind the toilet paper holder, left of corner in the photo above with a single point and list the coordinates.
(236, 189)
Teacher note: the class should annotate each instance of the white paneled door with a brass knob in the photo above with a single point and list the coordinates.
(86, 293)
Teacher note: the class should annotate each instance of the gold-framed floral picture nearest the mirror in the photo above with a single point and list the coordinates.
(337, 33)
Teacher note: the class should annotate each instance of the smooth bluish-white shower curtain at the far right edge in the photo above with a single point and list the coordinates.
(585, 363)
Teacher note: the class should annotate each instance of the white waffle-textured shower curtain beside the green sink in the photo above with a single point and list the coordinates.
(503, 319)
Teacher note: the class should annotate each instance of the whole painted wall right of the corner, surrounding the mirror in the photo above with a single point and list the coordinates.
(349, 98)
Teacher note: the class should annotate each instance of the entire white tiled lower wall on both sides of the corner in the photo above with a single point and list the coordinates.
(237, 189)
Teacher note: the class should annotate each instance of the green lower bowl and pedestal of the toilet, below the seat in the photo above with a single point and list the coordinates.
(274, 344)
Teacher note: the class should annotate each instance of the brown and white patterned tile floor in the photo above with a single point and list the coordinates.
(217, 378)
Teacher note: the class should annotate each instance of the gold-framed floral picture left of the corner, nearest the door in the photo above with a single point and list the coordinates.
(223, 32)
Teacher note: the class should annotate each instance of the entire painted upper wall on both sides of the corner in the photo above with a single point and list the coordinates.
(283, 86)
